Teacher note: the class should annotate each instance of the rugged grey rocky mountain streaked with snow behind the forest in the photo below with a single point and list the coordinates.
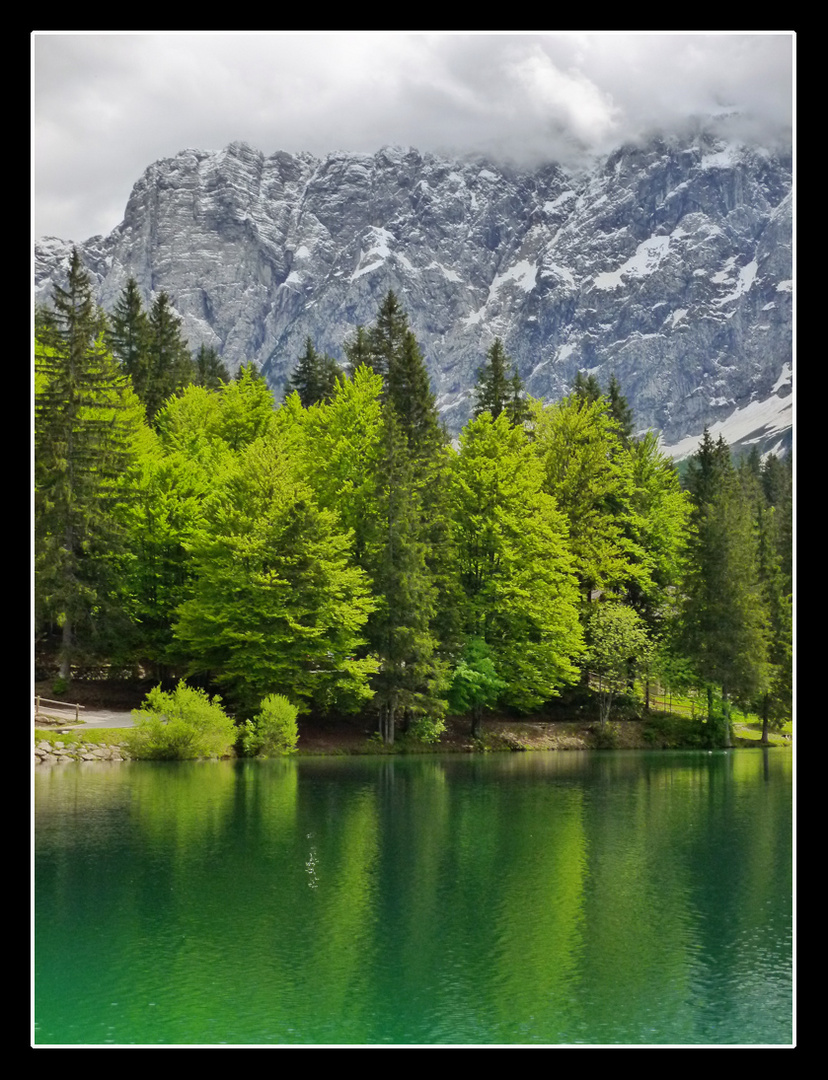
(667, 264)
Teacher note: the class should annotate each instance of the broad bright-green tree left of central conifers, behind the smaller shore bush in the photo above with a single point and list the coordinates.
(277, 602)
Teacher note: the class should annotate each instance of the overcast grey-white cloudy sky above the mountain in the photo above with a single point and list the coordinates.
(105, 106)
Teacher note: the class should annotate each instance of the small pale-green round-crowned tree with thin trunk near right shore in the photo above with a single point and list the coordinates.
(618, 645)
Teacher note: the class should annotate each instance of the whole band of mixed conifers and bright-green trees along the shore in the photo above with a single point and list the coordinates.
(337, 549)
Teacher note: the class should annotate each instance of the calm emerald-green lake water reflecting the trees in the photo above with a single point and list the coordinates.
(523, 899)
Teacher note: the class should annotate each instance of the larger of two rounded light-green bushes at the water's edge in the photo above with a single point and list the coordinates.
(183, 724)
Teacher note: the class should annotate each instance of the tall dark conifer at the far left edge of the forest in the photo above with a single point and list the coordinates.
(85, 431)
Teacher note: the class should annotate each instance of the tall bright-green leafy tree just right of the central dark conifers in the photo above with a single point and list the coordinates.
(520, 591)
